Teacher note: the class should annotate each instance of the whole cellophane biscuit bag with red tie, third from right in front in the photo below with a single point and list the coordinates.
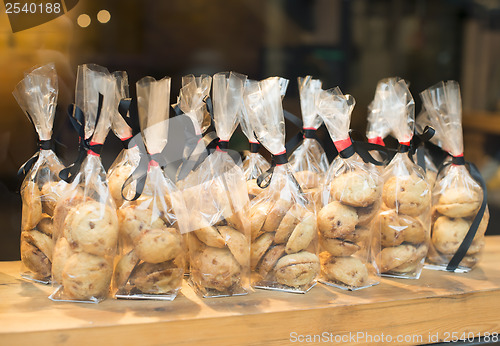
(350, 199)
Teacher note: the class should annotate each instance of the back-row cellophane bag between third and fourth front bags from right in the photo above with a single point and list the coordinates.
(308, 161)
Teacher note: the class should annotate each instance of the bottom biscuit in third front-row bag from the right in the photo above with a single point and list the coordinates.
(349, 271)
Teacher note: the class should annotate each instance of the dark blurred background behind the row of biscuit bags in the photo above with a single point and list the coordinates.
(352, 44)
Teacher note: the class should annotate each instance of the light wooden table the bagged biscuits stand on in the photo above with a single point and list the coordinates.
(418, 311)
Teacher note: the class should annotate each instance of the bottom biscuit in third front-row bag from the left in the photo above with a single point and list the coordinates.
(157, 278)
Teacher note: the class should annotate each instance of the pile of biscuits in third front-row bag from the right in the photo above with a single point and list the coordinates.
(345, 236)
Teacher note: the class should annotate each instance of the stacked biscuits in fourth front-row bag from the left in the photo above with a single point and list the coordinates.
(219, 250)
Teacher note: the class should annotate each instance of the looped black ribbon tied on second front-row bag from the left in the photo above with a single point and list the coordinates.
(77, 119)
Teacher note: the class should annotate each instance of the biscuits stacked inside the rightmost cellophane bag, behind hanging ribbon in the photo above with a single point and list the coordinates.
(452, 216)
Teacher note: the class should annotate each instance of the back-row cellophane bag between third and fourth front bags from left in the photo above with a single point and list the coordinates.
(192, 101)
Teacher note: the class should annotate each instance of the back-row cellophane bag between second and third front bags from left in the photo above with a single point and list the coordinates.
(128, 159)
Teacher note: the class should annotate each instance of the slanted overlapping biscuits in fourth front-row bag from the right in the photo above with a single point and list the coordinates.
(284, 244)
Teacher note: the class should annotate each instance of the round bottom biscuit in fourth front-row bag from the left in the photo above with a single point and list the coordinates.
(215, 268)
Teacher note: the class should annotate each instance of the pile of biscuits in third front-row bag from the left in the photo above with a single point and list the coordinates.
(152, 249)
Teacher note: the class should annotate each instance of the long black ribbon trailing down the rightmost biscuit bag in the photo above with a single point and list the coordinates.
(469, 237)
